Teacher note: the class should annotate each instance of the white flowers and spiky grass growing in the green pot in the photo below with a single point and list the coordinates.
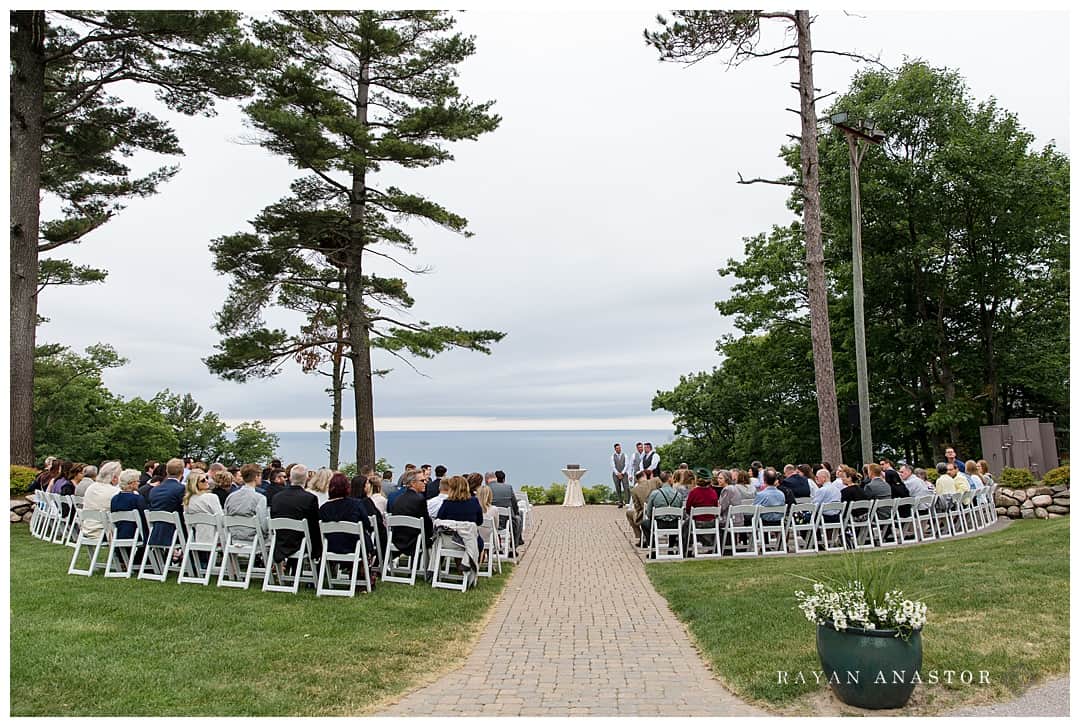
(865, 599)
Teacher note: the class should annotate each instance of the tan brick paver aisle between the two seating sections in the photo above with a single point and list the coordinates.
(576, 632)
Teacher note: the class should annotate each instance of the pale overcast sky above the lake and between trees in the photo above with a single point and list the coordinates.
(601, 209)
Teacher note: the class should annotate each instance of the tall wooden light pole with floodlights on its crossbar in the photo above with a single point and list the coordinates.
(860, 134)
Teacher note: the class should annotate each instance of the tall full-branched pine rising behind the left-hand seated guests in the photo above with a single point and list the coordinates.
(353, 93)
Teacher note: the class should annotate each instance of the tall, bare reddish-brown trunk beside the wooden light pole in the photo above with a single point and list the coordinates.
(829, 419)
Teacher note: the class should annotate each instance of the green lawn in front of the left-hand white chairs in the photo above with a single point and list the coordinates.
(91, 647)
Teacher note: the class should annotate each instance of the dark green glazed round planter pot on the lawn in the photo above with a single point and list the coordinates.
(872, 669)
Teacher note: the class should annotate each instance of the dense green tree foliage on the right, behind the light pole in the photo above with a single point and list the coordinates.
(967, 327)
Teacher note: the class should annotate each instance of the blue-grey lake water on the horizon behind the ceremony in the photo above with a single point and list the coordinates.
(528, 457)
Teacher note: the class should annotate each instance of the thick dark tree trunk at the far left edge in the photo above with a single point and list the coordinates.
(28, 130)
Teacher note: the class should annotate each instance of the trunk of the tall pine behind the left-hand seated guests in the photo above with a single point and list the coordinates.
(359, 338)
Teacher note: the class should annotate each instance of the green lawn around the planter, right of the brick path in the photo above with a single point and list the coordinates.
(996, 602)
